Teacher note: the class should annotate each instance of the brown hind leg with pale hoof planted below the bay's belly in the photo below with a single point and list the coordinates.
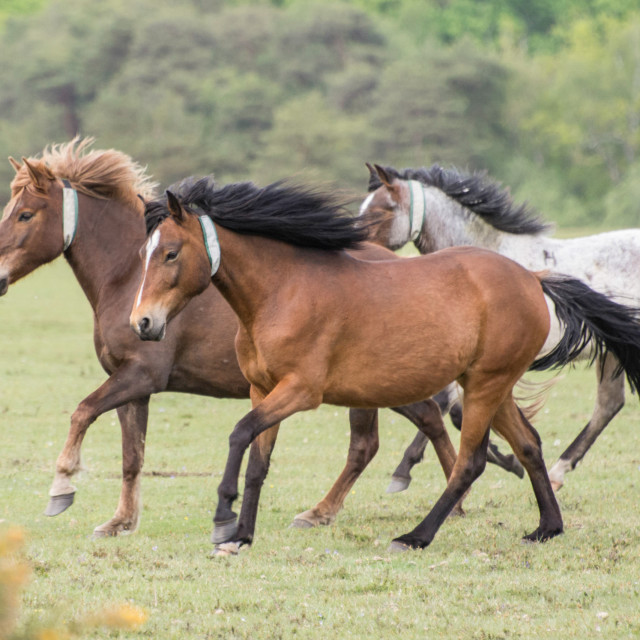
(363, 446)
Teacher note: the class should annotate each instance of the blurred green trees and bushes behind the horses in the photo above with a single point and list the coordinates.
(545, 94)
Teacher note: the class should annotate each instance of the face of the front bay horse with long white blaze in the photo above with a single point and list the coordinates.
(175, 269)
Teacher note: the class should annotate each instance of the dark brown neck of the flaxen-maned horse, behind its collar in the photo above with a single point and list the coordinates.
(104, 252)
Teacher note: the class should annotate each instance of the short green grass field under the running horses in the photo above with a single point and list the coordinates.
(477, 579)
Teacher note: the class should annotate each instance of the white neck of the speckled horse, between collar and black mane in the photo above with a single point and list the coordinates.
(449, 224)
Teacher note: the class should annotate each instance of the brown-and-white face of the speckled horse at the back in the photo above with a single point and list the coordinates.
(386, 210)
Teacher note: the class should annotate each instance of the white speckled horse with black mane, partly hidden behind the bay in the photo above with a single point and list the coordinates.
(438, 208)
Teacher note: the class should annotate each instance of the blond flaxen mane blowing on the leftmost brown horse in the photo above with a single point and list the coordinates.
(105, 174)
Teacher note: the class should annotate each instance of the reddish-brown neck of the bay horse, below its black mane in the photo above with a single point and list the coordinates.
(251, 269)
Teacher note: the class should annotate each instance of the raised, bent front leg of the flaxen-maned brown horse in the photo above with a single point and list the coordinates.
(127, 383)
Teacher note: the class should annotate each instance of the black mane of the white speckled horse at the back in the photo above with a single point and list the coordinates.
(478, 193)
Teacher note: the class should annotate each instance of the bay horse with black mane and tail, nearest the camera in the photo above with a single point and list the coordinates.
(317, 324)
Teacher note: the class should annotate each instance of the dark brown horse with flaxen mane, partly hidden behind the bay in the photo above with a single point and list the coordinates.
(86, 205)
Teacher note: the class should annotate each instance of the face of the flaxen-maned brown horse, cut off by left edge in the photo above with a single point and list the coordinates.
(31, 227)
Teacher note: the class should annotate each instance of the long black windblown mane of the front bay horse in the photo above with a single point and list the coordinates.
(291, 213)
